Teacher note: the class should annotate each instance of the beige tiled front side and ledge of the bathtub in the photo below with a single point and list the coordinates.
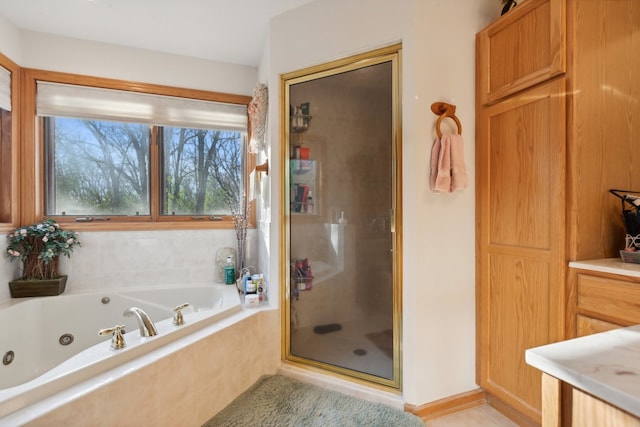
(183, 383)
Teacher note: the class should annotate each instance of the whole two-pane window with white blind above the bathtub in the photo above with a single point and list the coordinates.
(118, 156)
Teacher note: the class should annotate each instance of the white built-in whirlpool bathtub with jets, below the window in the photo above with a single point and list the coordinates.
(49, 344)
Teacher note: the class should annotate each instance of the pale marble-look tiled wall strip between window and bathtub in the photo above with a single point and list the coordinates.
(115, 259)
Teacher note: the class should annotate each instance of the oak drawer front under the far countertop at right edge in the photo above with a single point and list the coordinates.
(609, 299)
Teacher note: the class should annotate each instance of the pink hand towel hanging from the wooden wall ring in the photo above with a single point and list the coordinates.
(448, 172)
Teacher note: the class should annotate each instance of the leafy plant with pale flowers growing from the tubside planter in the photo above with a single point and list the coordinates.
(38, 246)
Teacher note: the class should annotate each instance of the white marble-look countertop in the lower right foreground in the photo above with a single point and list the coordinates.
(605, 365)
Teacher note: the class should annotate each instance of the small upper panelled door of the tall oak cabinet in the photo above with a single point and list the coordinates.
(525, 47)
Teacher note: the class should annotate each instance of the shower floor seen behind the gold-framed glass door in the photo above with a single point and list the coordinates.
(339, 348)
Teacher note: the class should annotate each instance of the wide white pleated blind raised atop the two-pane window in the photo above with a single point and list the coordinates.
(63, 100)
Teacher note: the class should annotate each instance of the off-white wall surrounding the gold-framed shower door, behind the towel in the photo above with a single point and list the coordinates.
(438, 64)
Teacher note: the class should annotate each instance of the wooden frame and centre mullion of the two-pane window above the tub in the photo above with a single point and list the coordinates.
(32, 157)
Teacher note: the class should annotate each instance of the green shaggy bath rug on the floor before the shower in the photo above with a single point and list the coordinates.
(275, 400)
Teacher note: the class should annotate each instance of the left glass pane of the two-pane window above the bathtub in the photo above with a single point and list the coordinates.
(96, 167)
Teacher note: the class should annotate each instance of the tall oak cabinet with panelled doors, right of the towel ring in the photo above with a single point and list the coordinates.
(555, 129)
